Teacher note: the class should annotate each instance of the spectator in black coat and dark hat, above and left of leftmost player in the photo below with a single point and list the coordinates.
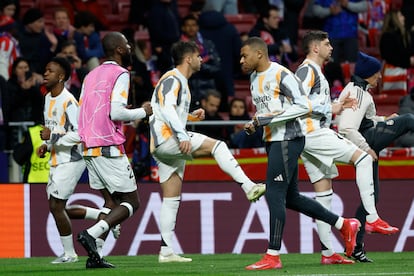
(37, 44)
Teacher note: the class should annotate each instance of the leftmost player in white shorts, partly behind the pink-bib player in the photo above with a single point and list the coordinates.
(60, 137)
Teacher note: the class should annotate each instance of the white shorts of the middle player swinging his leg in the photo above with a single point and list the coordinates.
(171, 160)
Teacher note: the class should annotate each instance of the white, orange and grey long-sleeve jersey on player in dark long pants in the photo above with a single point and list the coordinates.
(279, 100)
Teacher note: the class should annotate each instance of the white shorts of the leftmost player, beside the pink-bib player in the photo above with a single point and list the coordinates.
(63, 179)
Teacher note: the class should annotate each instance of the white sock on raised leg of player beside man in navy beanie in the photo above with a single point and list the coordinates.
(365, 184)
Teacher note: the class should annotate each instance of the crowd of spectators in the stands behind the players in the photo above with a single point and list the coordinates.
(31, 37)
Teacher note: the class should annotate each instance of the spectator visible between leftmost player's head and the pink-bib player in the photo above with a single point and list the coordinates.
(74, 83)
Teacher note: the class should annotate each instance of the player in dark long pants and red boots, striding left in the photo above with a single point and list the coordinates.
(280, 100)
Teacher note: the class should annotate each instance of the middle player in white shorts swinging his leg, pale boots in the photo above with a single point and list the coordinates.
(172, 144)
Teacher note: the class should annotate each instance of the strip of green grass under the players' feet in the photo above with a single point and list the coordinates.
(386, 263)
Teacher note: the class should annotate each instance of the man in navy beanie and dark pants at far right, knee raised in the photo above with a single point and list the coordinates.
(369, 131)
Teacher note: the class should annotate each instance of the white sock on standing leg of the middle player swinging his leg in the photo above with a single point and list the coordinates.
(168, 216)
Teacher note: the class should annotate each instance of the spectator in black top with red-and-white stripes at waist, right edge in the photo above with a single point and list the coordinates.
(395, 39)
